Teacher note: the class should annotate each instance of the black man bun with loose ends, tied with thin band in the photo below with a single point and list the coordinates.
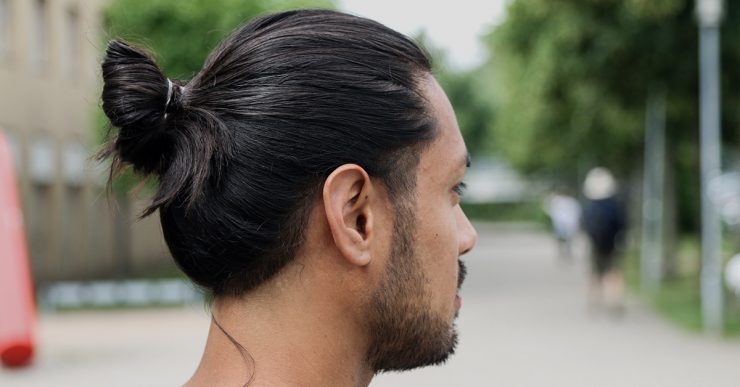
(158, 134)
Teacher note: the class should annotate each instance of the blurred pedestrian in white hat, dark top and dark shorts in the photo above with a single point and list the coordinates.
(604, 223)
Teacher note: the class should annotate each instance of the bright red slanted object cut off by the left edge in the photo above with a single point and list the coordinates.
(17, 315)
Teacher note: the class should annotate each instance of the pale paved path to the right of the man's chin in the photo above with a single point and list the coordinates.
(524, 322)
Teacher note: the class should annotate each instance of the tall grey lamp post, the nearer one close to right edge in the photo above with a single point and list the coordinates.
(709, 13)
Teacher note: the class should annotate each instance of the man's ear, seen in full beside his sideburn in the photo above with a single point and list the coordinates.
(347, 194)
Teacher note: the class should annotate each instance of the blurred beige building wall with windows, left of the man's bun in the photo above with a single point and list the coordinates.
(49, 93)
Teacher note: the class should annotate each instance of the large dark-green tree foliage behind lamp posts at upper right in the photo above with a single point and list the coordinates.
(572, 78)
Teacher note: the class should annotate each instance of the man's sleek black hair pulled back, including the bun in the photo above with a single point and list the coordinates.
(242, 149)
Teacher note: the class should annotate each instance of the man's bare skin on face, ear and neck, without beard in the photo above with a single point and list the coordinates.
(306, 326)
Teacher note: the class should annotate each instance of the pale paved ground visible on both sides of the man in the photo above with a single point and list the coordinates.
(523, 323)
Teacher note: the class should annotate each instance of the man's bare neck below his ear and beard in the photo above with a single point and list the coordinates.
(292, 337)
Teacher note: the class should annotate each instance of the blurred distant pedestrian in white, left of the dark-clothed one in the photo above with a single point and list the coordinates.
(565, 213)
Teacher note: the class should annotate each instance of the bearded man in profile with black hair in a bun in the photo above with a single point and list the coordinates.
(310, 179)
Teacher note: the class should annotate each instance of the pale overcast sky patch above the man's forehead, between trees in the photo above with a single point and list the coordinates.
(454, 26)
